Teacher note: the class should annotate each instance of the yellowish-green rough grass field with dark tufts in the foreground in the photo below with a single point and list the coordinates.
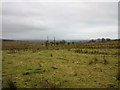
(61, 68)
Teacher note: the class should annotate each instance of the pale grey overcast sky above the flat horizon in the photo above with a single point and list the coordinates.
(64, 20)
